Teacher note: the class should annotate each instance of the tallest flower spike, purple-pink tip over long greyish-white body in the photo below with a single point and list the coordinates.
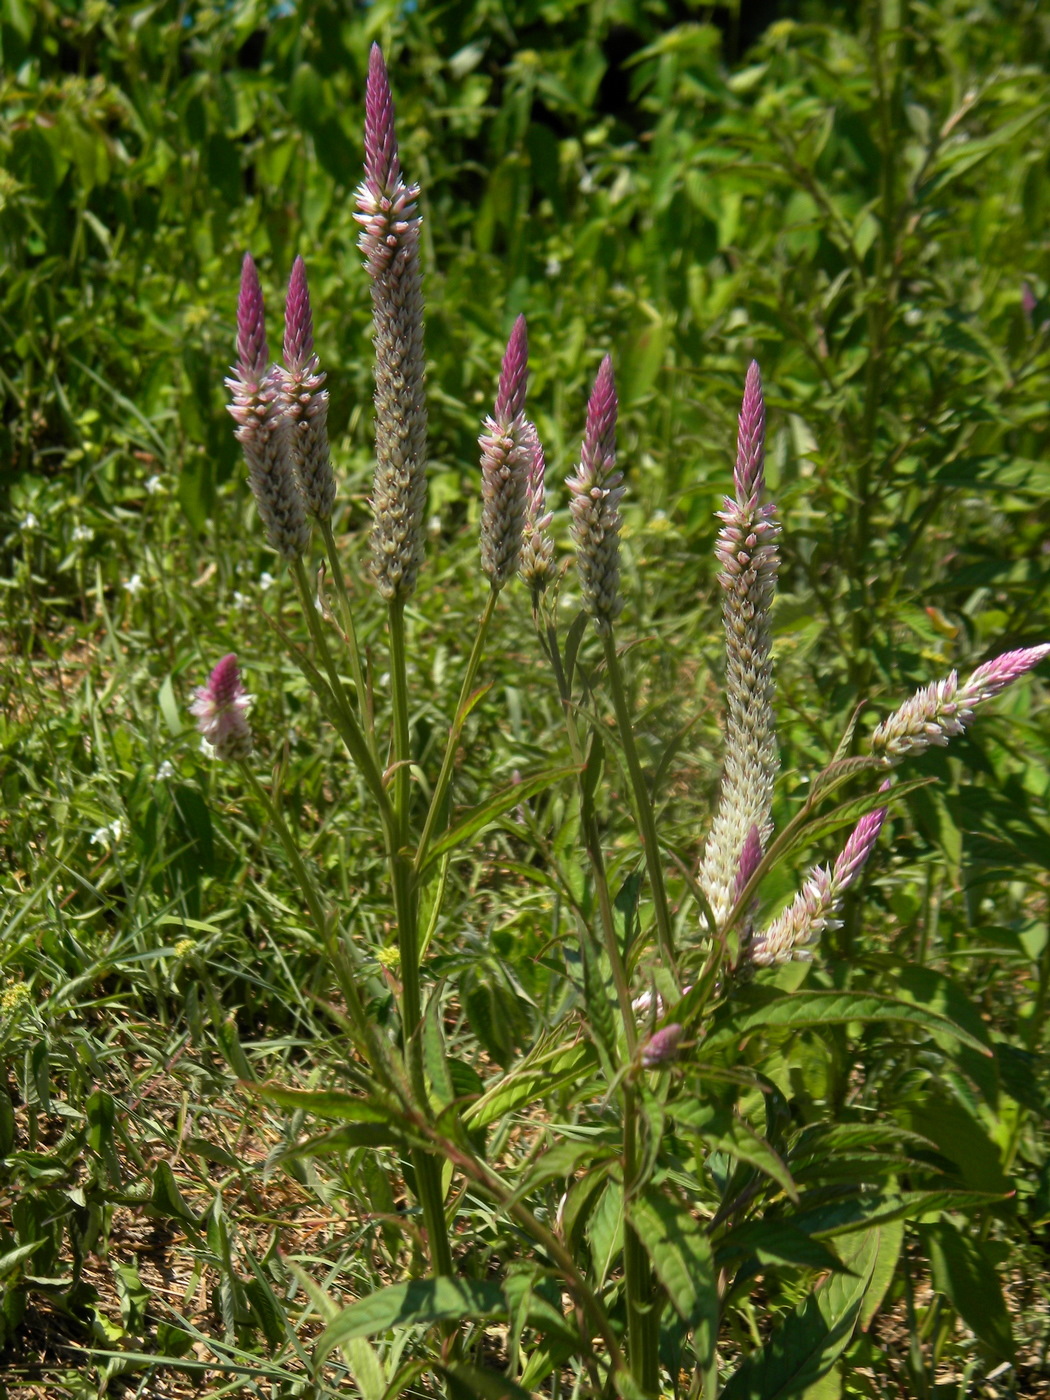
(390, 243)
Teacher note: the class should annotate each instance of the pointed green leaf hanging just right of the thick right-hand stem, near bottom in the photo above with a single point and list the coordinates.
(682, 1261)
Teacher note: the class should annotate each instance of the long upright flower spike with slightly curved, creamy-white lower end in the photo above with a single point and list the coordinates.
(748, 555)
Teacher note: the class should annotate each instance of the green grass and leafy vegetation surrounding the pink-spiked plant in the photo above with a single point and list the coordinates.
(860, 202)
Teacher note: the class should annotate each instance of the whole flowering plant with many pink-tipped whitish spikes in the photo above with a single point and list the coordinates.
(626, 1234)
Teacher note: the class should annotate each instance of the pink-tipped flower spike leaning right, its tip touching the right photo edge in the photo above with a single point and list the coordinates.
(944, 709)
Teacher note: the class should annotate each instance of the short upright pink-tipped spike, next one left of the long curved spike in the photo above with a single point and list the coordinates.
(596, 496)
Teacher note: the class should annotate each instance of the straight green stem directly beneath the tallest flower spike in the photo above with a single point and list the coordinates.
(407, 912)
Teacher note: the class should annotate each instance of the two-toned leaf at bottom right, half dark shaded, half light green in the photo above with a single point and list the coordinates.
(806, 1349)
